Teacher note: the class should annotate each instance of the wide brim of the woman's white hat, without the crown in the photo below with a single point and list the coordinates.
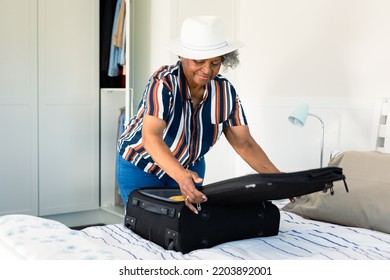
(178, 49)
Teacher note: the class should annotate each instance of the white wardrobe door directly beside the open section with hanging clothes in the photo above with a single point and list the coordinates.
(68, 106)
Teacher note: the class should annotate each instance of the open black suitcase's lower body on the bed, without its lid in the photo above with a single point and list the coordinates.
(170, 224)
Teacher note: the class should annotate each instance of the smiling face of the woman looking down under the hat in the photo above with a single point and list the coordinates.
(199, 72)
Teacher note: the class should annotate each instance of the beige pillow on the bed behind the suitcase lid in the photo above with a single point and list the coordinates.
(367, 205)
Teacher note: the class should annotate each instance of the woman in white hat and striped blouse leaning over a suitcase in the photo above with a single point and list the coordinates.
(184, 110)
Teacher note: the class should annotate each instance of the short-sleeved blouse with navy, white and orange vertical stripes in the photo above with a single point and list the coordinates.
(189, 133)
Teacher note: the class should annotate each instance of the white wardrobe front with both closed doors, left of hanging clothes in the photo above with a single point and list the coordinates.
(49, 106)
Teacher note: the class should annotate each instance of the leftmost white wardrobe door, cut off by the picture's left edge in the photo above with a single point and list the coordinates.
(18, 107)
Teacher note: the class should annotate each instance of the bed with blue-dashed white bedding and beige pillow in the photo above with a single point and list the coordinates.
(345, 226)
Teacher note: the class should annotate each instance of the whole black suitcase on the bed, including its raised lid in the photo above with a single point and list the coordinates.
(237, 208)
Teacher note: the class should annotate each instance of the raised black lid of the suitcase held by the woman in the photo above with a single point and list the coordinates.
(255, 188)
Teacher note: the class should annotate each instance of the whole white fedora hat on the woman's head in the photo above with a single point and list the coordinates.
(203, 37)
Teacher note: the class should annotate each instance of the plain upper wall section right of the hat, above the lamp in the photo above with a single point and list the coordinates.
(335, 48)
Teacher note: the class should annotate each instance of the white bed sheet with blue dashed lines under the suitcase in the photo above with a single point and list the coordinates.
(29, 237)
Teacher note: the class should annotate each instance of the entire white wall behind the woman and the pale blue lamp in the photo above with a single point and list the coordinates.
(332, 54)
